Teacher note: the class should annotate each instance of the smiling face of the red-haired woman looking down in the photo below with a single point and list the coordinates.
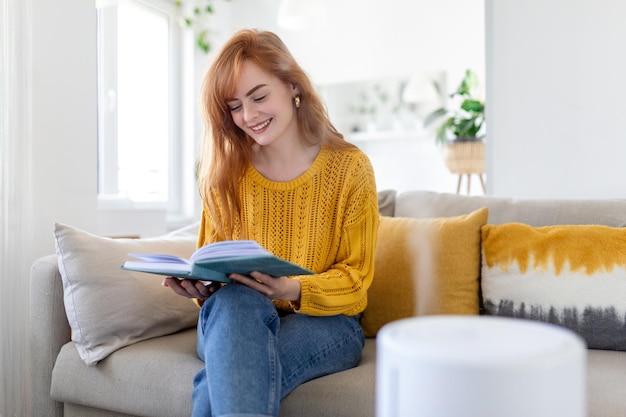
(263, 106)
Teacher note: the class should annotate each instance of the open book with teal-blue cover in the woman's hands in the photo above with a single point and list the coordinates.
(215, 261)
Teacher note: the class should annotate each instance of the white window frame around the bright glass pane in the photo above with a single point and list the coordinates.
(181, 204)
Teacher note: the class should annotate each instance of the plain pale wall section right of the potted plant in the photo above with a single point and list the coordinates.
(555, 98)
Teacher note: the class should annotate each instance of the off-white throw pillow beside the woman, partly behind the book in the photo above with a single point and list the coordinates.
(109, 308)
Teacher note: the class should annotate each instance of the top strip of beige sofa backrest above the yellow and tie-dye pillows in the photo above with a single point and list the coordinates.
(534, 212)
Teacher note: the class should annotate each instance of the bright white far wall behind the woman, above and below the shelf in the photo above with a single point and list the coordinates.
(364, 41)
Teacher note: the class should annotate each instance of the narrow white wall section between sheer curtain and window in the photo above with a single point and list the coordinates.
(64, 117)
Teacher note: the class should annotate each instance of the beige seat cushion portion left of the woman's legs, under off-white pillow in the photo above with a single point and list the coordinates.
(151, 378)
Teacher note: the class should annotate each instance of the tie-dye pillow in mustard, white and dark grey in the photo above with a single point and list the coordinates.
(573, 276)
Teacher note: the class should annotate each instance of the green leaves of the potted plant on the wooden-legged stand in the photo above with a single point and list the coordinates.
(465, 123)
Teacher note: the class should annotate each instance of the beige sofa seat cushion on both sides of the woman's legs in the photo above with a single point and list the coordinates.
(160, 372)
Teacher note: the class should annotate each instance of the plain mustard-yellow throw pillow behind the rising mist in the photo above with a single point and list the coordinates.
(424, 267)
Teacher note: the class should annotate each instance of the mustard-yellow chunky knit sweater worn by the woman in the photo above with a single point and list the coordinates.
(326, 220)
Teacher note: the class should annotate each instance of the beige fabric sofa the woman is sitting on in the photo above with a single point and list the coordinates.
(153, 377)
